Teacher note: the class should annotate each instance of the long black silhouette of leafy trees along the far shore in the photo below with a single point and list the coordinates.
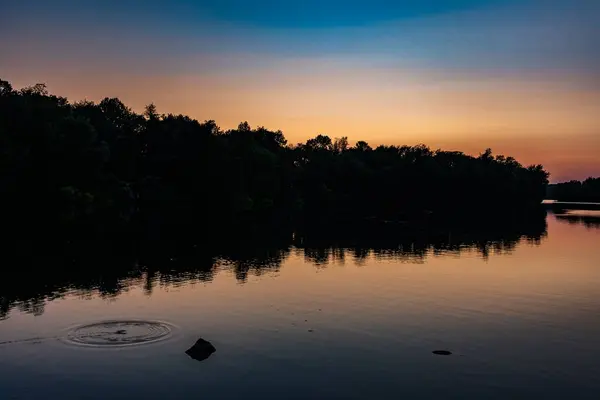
(102, 170)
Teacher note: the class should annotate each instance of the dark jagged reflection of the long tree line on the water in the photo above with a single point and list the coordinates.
(94, 272)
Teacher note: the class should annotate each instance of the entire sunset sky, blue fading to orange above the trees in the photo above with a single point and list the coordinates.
(519, 76)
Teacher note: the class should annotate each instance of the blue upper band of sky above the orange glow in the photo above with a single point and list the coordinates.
(505, 34)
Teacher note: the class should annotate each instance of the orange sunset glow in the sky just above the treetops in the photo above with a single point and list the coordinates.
(535, 122)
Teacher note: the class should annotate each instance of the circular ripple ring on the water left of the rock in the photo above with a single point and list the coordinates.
(118, 333)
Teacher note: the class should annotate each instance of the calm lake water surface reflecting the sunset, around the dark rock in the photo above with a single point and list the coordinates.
(521, 317)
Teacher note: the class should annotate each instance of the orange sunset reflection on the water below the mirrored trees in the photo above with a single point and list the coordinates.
(559, 276)
